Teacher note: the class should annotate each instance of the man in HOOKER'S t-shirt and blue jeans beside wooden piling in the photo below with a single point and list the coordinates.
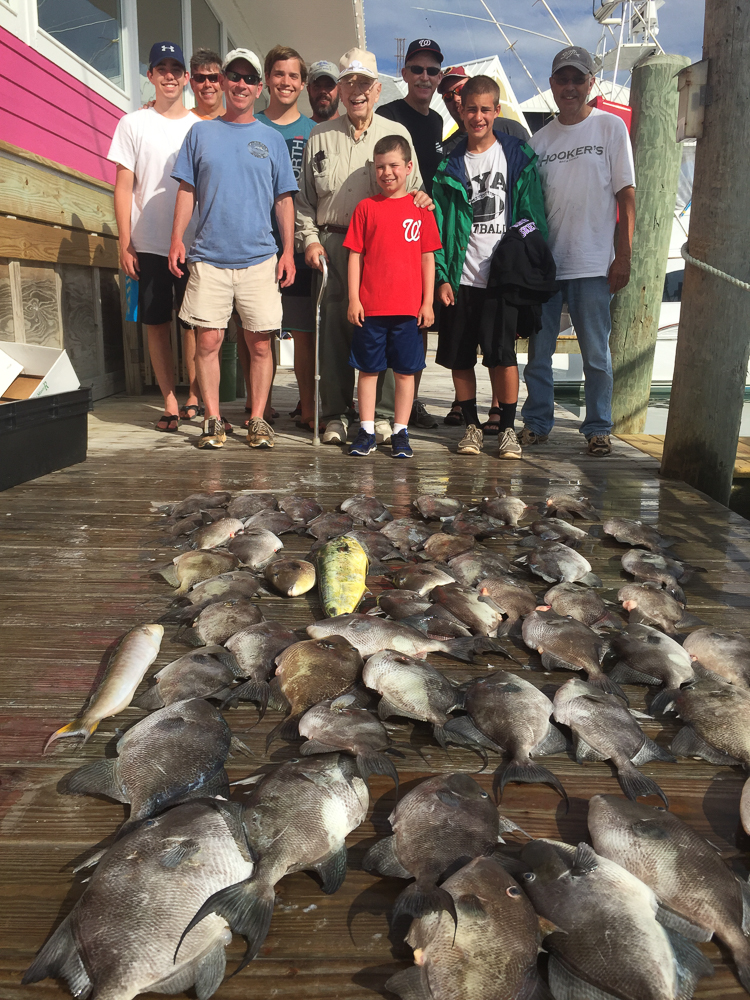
(586, 165)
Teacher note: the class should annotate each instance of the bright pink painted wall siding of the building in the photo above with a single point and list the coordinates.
(50, 113)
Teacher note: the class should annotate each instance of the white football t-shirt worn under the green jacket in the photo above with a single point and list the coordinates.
(486, 173)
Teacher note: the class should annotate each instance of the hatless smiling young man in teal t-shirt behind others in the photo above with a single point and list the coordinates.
(286, 75)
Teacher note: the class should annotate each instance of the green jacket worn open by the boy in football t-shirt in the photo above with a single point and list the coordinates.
(453, 212)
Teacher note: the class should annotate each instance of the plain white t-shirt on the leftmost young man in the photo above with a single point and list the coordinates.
(148, 143)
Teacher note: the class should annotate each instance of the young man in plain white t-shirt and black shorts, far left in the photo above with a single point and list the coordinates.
(144, 147)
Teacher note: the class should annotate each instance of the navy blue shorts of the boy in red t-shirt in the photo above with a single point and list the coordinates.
(388, 342)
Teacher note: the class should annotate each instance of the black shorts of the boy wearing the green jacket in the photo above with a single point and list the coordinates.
(469, 325)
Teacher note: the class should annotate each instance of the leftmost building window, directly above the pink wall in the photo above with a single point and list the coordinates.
(90, 29)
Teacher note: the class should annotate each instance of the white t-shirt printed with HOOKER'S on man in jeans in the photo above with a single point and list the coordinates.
(582, 167)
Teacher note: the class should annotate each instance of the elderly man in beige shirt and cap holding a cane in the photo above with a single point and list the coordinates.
(337, 173)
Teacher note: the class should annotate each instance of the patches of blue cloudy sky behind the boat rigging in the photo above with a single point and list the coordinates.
(680, 31)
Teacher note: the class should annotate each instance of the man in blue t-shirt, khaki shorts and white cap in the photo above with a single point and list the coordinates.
(237, 169)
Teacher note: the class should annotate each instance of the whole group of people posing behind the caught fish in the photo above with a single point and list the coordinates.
(223, 212)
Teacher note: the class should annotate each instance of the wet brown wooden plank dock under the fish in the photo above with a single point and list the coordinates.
(77, 550)
